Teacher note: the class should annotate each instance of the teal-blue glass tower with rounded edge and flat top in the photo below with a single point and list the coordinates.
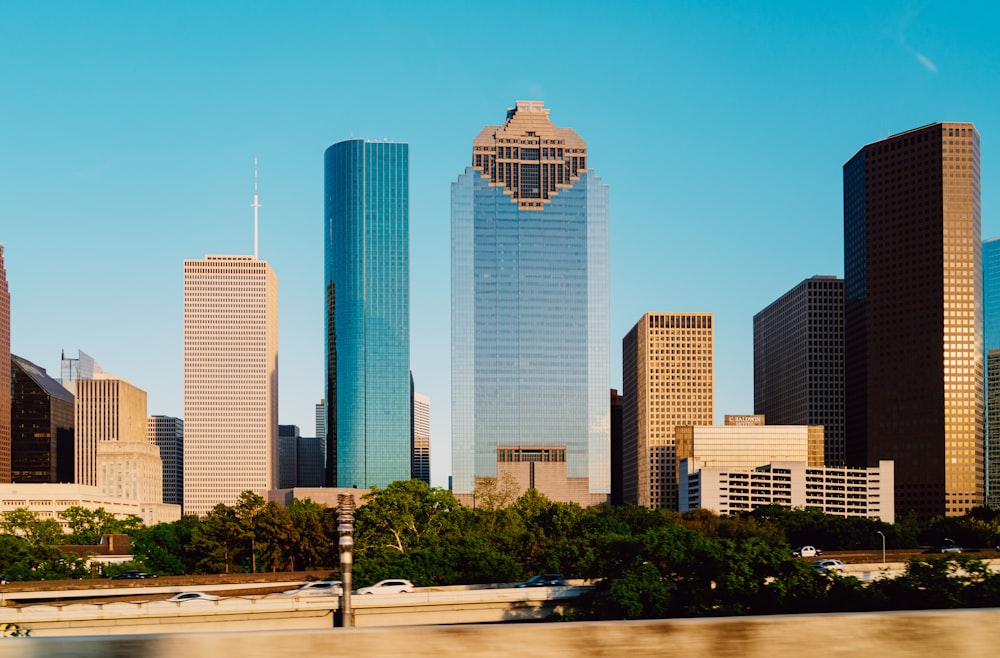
(367, 313)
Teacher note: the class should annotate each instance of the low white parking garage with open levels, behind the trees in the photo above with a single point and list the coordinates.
(842, 491)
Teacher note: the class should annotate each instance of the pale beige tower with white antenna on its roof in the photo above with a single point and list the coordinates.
(230, 380)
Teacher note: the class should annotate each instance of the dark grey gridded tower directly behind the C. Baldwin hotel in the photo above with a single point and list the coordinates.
(798, 361)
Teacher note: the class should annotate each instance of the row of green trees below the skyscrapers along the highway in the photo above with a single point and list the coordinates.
(645, 563)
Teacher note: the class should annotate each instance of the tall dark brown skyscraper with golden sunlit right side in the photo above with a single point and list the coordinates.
(913, 332)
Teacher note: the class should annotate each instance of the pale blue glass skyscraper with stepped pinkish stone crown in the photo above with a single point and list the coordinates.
(530, 298)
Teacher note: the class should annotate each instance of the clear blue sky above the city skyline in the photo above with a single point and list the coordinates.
(127, 133)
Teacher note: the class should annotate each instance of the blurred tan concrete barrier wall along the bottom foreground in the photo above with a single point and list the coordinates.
(952, 634)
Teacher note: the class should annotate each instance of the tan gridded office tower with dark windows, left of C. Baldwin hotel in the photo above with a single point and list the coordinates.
(667, 381)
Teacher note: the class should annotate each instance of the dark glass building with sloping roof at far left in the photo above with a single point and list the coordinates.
(42, 435)
